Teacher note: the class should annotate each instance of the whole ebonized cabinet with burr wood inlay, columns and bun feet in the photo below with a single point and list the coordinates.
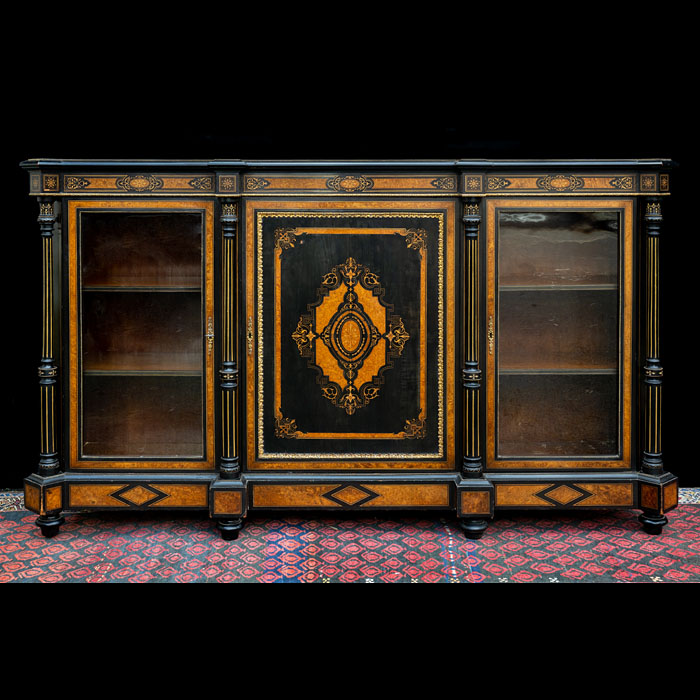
(364, 335)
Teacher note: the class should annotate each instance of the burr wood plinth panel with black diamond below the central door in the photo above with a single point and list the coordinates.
(354, 495)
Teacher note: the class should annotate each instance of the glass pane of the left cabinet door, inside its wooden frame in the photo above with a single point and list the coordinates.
(141, 331)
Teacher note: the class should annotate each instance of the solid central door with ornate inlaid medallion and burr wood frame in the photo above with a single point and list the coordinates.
(350, 315)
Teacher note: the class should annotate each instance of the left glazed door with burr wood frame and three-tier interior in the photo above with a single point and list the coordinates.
(141, 334)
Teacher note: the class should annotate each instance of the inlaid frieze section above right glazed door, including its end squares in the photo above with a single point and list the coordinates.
(543, 183)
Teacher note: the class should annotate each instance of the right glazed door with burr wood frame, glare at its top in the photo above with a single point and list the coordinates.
(559, 335)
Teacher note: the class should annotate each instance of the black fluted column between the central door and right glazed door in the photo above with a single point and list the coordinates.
(472, 466)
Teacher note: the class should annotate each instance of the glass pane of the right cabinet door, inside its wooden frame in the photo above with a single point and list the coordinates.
(558, 334)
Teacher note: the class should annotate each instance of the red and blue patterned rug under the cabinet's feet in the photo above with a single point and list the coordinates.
(532, 547)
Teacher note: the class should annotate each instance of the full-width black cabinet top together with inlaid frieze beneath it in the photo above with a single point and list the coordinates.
(434, 178)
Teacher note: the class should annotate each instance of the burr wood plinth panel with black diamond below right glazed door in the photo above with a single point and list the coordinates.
(563, 495)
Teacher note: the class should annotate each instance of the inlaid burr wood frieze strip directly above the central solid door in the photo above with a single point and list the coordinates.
(344, 183)
